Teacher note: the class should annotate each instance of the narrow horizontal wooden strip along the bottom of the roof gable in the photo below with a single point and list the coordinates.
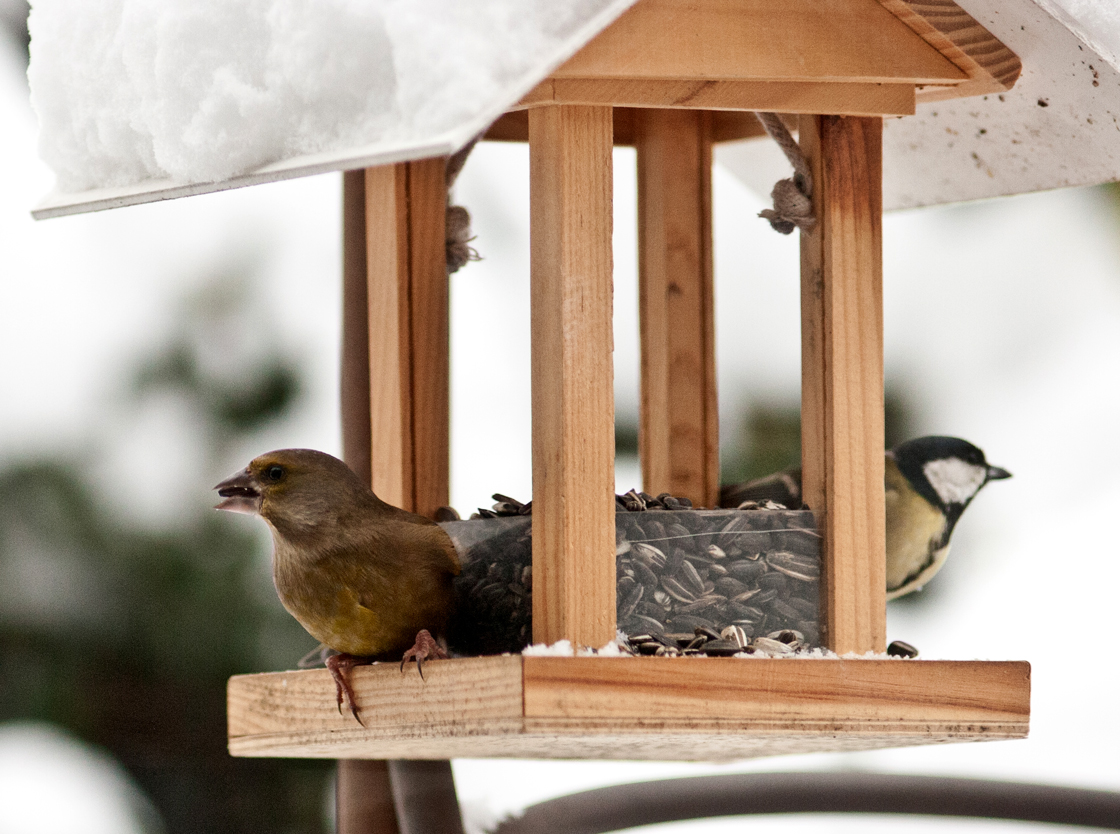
(786, 97)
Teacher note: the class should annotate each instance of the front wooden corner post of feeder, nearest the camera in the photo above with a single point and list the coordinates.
(572, 296)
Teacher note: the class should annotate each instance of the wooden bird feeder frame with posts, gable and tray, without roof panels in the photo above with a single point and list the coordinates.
(670, 78)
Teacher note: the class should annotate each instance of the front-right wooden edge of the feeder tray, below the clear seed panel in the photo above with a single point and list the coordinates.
(783, 694)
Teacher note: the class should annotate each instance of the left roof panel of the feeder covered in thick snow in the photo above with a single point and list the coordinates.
(142, 101)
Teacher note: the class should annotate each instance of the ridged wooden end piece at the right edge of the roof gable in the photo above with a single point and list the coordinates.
(991, 65)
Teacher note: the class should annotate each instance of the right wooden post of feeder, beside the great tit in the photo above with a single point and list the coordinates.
(842, 401)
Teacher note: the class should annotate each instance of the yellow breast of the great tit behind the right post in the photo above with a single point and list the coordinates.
(912, 526)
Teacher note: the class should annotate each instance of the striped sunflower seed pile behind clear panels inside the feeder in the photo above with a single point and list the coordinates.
(714, 583)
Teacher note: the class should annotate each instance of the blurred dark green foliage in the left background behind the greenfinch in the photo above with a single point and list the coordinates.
(127, 635)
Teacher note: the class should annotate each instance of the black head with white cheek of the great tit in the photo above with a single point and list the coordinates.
(946, 472)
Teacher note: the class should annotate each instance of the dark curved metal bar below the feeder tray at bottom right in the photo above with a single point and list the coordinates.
(627, 807)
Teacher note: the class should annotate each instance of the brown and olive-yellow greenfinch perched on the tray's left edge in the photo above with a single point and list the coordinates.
(366, 579)
